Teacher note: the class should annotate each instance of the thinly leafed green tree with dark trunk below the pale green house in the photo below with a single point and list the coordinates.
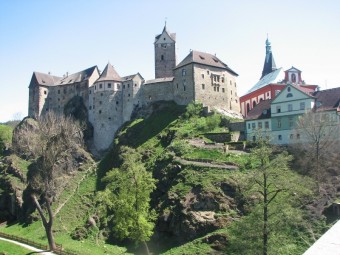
(277, 195)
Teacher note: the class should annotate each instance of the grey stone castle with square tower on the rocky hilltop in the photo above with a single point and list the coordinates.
(110, 99)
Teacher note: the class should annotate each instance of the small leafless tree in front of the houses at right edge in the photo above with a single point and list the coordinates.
(320, 132)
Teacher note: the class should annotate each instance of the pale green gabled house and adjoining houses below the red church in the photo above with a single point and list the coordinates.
(278, 118)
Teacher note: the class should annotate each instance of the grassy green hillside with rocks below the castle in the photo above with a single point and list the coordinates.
(199, 191)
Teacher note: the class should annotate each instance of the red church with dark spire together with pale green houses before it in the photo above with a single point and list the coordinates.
(273, 107)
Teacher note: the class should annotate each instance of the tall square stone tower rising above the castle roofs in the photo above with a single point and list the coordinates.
(165, 54)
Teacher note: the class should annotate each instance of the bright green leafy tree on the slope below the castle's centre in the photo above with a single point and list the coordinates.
(127, 194)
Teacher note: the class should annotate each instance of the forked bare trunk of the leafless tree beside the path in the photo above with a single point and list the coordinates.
(47, 225)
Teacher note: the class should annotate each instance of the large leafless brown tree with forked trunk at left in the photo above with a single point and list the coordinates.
(49, 141)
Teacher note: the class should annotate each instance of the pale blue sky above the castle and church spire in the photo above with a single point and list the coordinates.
(60, 36)
